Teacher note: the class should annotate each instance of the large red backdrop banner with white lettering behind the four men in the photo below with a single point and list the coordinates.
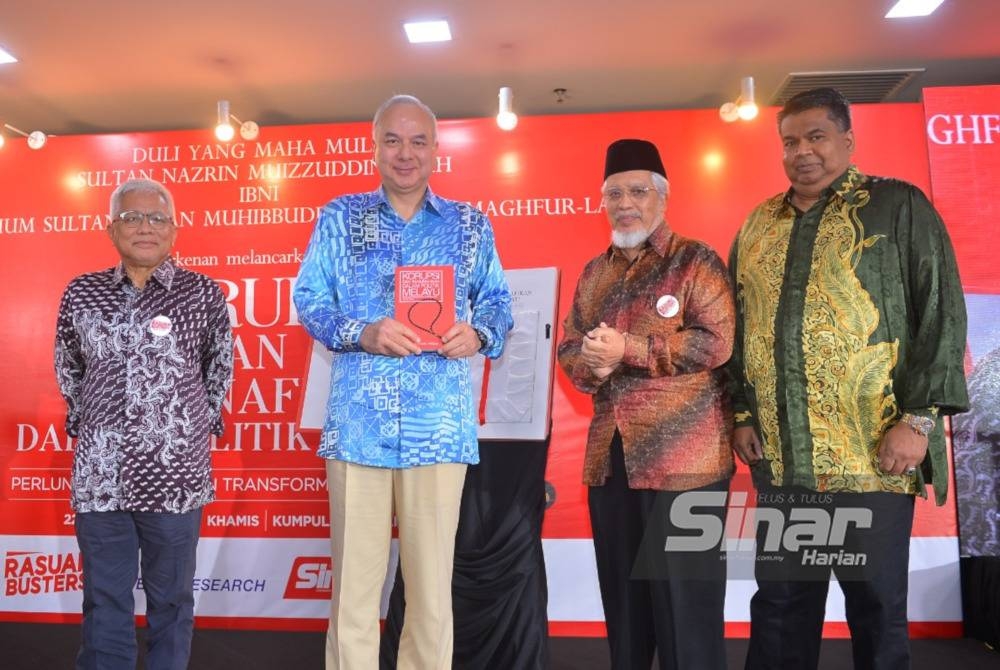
(245, 212)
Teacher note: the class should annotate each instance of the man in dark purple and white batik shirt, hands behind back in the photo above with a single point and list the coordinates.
(144, 358)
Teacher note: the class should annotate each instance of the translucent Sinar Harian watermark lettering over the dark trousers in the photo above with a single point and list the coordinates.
(798, 524)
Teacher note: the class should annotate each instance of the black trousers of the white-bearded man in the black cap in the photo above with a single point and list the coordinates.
(678, 613)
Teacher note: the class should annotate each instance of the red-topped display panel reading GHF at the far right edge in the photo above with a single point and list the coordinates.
(963, 140)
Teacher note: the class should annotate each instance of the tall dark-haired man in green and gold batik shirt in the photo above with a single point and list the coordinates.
(850, 339)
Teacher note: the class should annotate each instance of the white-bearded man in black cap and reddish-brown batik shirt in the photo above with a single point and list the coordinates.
(650, 326)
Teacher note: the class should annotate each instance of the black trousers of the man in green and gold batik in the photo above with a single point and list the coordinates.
(871, 565)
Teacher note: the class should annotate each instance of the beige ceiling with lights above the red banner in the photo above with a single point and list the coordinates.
(130, 65)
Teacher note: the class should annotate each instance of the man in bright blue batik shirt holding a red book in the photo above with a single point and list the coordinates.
(400, 427)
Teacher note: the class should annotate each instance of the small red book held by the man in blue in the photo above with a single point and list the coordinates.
(425, 301)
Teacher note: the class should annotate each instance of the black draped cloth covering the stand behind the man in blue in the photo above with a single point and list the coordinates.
(498, 588)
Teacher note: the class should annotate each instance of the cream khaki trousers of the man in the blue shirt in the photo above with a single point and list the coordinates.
(426, 503)
